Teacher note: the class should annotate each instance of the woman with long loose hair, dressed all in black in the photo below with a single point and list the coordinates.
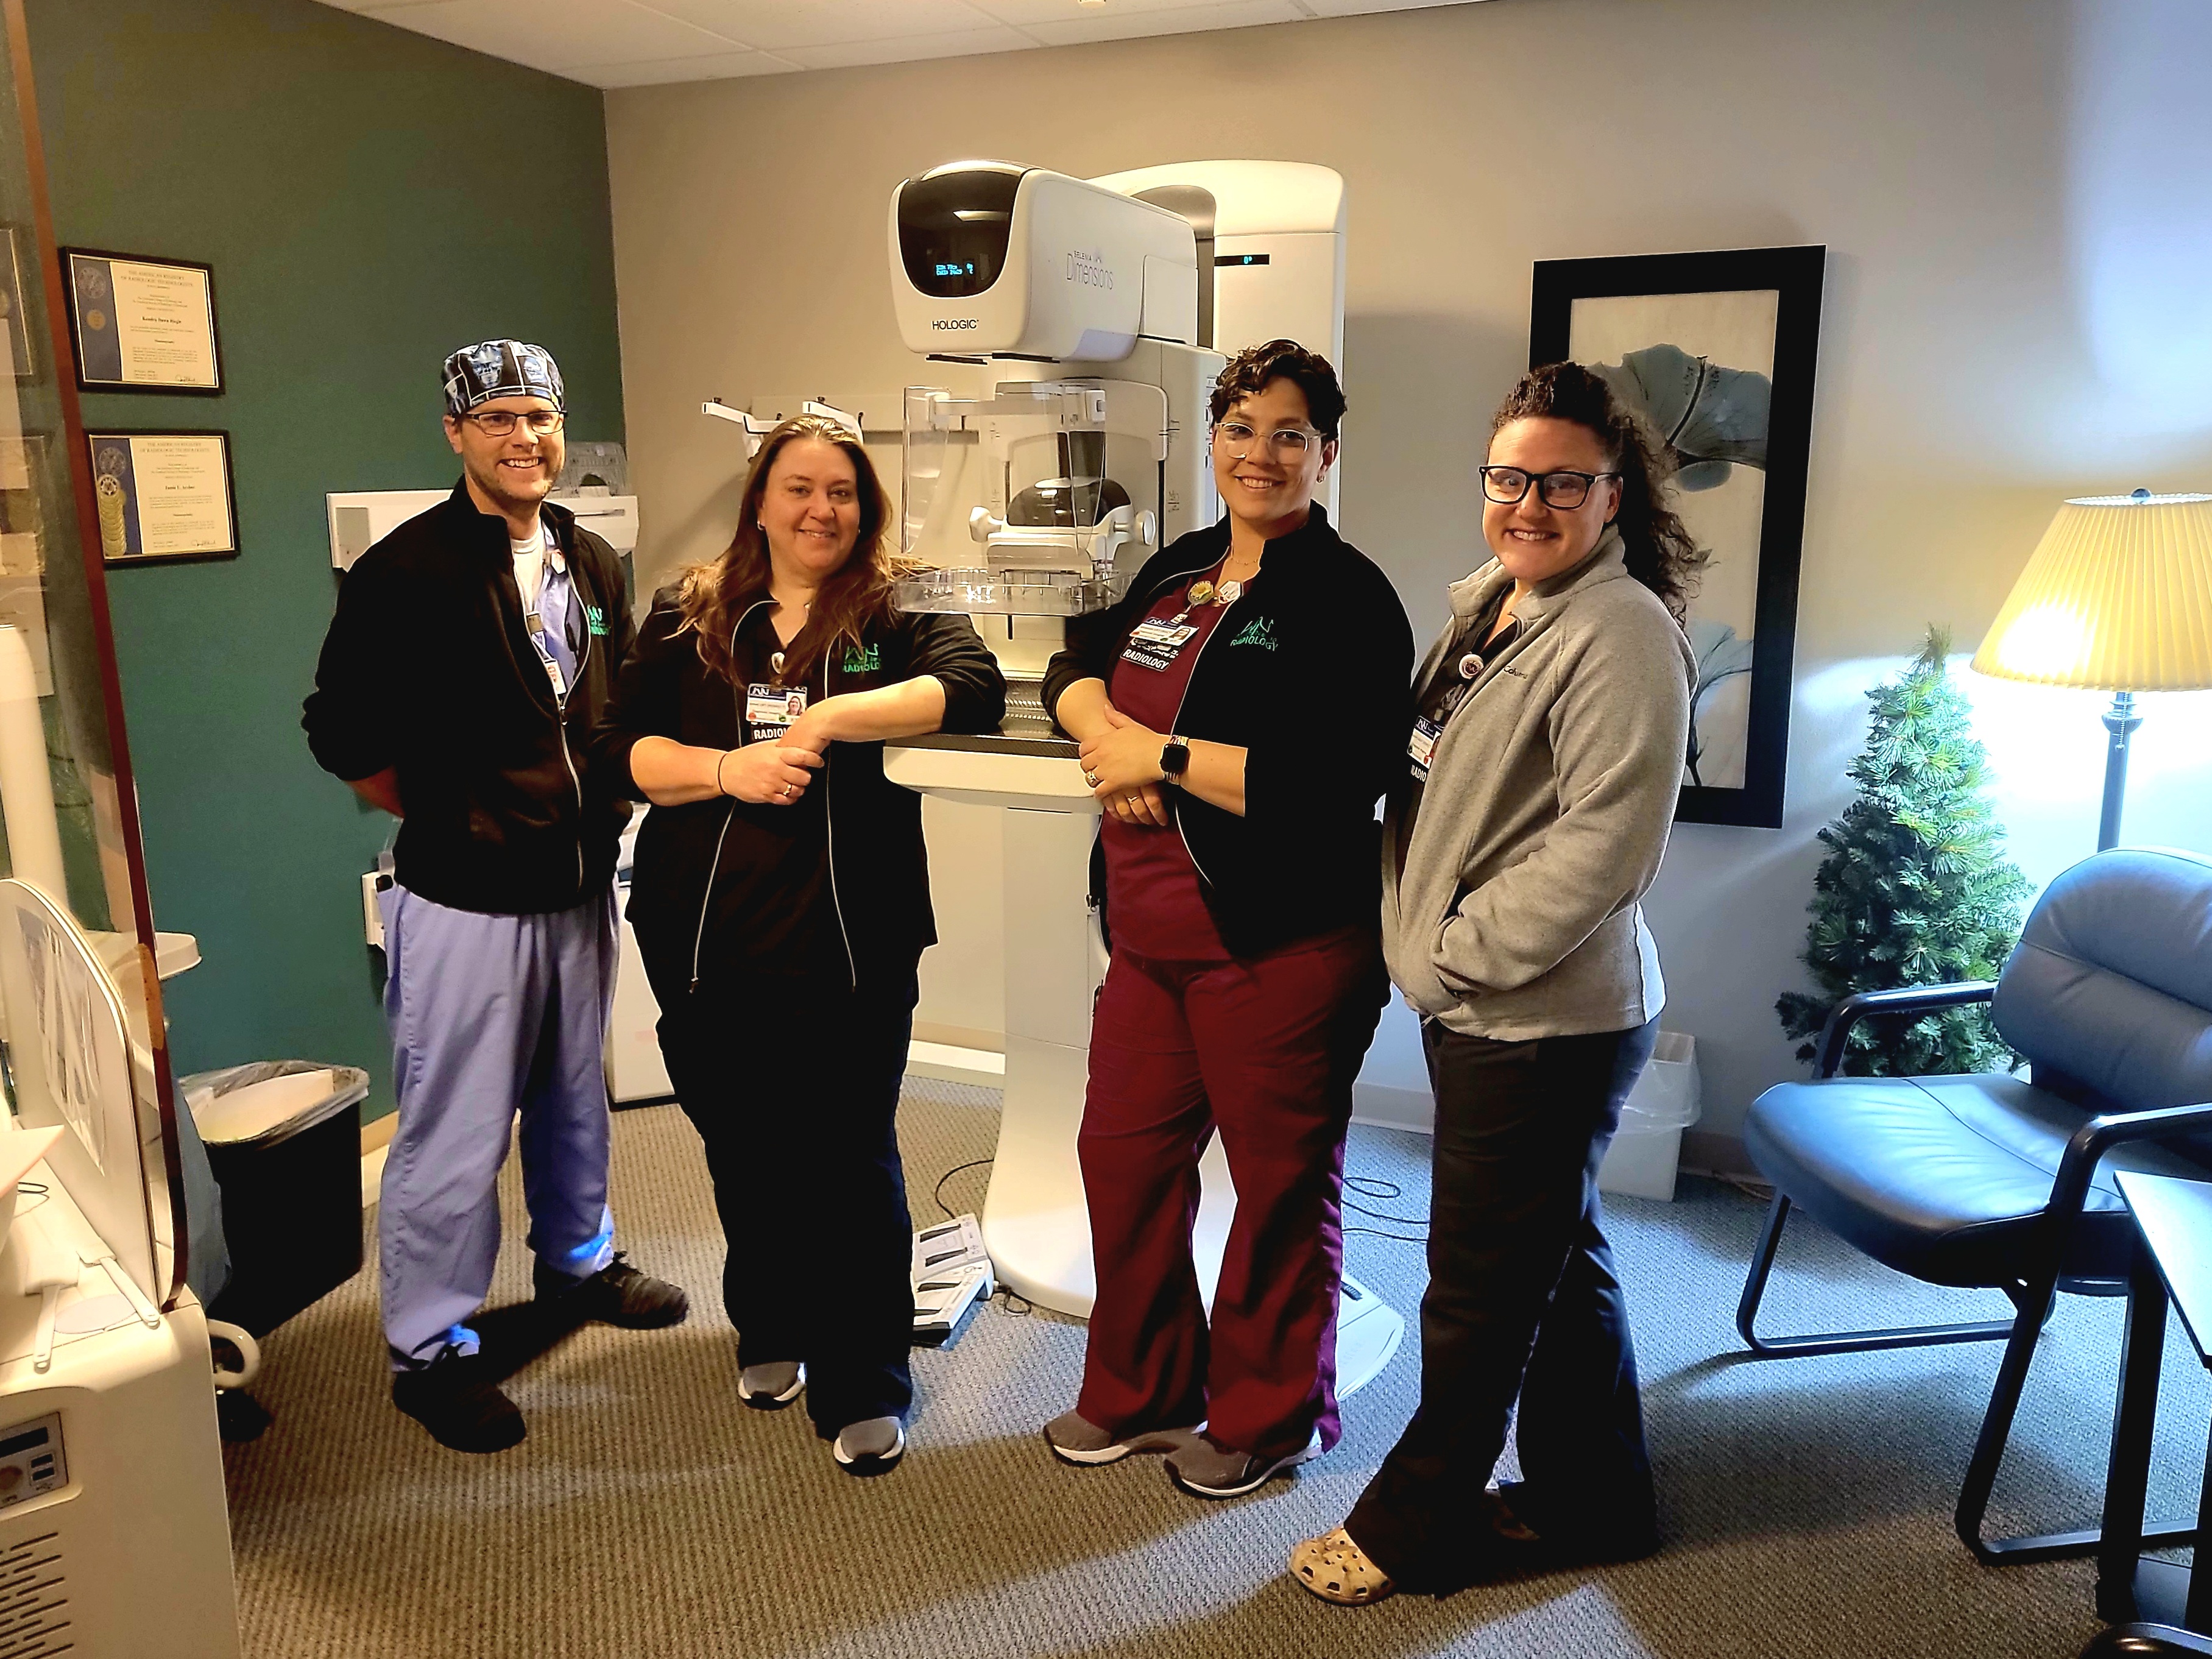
(782, 908)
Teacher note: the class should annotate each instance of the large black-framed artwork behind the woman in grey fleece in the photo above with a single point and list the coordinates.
(1718, 353)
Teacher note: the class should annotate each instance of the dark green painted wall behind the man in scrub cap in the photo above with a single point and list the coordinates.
(368, 200)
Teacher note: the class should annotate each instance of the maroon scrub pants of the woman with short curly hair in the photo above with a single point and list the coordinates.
(1262, 1050)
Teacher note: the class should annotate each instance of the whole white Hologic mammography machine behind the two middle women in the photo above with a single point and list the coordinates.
(1074, 331)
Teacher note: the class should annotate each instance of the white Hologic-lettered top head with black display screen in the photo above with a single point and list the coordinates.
(990, 258)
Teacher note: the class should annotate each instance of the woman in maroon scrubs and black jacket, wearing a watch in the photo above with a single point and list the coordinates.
(1240, 716)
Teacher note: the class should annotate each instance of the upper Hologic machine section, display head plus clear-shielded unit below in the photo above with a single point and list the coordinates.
(1076, 441)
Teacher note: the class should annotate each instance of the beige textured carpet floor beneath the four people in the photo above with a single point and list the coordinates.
(649, 1514)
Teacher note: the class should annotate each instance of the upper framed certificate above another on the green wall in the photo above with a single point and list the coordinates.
(143, 324)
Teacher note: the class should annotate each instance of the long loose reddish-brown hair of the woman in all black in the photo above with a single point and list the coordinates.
(857, 596)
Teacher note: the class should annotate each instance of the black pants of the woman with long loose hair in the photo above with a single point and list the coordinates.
(795, 1092)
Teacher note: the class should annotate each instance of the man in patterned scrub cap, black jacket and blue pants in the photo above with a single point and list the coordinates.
(470, 656)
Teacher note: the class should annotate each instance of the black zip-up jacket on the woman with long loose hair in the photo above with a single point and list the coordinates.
(879, 873)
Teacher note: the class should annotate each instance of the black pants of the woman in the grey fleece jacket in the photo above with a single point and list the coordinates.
(1523, 1302)
